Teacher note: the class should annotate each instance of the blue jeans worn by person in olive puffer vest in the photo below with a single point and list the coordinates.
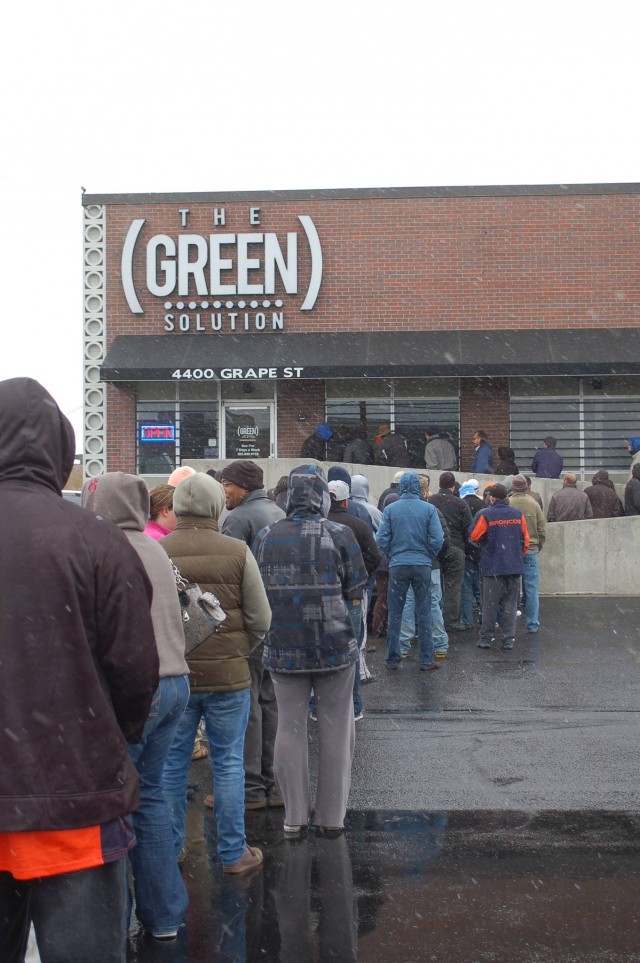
(225, 716)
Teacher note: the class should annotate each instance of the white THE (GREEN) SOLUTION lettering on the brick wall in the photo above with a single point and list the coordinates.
(213, 282)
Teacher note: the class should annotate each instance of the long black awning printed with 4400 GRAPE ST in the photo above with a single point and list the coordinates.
(402, 354)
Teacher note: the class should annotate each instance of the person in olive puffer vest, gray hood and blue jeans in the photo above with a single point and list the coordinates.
(219, 668)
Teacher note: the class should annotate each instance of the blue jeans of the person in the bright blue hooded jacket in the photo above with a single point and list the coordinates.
(401, 577)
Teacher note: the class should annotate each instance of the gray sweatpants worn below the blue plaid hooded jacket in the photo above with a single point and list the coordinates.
(336, 731)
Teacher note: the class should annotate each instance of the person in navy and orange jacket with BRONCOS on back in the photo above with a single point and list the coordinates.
(502, 534)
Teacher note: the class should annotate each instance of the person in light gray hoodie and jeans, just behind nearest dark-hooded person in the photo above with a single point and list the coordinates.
(161, 896)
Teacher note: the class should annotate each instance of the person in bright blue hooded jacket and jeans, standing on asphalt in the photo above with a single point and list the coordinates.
(410, 535)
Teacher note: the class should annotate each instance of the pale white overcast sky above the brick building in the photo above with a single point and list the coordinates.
(205, 96)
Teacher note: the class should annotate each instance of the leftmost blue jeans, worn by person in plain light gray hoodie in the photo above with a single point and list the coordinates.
(161, 896)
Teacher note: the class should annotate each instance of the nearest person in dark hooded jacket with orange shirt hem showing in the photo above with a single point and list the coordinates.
(79, 670)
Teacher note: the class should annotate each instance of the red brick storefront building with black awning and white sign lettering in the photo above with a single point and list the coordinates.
(229, 325)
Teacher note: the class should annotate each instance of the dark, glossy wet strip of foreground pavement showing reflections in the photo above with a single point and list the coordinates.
(404, 887)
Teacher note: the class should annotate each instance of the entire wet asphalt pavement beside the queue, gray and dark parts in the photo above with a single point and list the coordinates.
(494, 816)
